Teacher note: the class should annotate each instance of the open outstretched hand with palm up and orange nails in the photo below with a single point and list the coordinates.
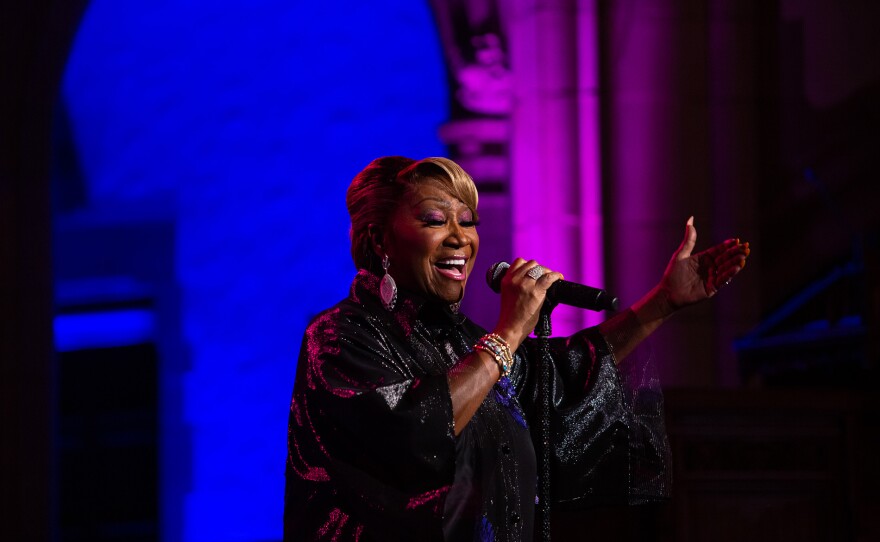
(690, 278)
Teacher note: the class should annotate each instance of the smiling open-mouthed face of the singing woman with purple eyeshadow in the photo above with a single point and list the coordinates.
(432, 242)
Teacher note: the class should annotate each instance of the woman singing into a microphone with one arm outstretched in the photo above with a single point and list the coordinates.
(410, 422)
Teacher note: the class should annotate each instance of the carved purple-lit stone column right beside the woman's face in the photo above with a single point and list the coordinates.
(478, 131)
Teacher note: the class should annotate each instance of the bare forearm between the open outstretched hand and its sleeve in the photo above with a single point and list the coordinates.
(625, 330)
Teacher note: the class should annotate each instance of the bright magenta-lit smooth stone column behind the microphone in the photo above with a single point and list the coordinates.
(555, 180)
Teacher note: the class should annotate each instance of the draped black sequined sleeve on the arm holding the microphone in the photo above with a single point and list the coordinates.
(368, 436)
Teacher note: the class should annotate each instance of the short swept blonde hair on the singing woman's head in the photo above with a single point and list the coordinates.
(376, 191)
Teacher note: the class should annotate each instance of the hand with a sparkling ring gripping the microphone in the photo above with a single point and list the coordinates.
(522, 297)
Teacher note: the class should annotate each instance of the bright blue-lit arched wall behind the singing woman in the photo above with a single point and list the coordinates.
(240, 125)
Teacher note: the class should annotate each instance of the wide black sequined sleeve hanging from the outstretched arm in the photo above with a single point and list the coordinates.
(607, 427)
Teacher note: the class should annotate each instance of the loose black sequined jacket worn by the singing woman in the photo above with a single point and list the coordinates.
(371, 448)
